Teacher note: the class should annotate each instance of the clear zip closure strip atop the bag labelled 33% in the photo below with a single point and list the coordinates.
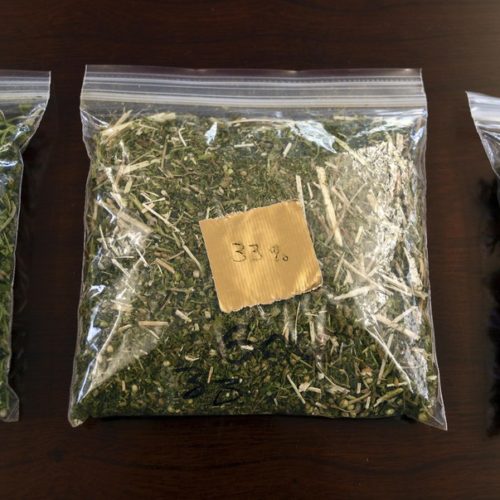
(255, 88)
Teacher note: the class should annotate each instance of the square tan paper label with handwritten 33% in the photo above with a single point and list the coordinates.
(261, 256)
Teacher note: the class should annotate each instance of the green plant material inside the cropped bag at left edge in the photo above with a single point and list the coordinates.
(14, 133)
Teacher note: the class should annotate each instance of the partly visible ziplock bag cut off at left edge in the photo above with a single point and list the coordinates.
(23, 98)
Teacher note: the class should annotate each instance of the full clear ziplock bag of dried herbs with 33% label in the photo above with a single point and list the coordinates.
(255, 244)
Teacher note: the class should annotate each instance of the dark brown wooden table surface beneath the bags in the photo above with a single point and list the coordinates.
(457, 45)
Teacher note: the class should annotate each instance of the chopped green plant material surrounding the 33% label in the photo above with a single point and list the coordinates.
(153, 340)
